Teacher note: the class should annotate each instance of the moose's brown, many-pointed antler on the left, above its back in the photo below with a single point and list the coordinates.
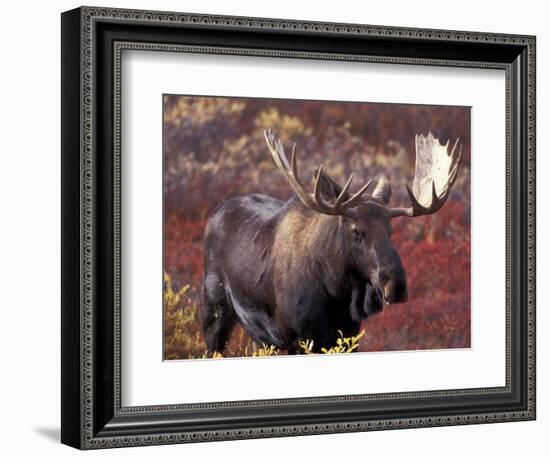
(312, 201)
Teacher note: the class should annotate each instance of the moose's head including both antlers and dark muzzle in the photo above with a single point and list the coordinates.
(365, 218)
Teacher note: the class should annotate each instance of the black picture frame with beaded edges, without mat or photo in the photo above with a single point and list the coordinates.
(92, 42)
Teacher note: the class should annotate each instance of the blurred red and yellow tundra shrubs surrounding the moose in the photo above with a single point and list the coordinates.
(214, 149)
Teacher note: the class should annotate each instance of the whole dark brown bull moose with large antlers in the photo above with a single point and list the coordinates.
(319, 263)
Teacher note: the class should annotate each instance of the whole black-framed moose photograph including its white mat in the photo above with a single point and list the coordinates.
(274, 227)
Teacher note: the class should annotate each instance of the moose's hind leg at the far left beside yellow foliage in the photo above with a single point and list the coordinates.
(218, 318)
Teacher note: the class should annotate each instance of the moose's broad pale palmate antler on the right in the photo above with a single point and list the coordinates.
(435, 173)
